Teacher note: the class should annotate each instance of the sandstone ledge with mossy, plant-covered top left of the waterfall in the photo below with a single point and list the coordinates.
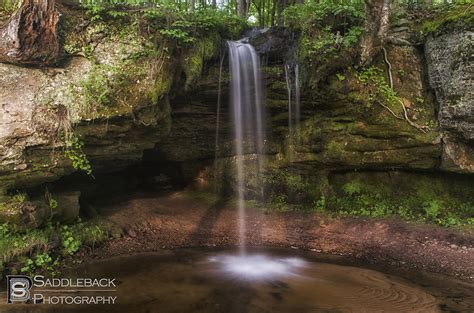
(108, 101)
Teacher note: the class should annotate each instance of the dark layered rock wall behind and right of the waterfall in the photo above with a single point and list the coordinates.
(341, 132)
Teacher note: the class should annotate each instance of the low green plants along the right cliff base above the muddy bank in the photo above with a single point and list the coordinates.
(357, 198)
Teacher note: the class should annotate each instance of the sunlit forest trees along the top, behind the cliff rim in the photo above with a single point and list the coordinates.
(261, 13)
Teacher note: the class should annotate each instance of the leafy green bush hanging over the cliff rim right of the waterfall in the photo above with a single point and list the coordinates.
(329, 34)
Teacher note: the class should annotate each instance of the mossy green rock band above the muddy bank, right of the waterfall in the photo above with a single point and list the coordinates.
(413, 197)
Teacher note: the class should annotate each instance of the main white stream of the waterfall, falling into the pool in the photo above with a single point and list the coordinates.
(248, 119)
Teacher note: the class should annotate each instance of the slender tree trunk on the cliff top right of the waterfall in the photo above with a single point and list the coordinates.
(377, 13)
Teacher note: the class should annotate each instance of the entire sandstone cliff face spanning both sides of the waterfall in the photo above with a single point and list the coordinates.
(128, 109)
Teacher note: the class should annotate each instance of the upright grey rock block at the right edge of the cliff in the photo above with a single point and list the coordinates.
(451, 74)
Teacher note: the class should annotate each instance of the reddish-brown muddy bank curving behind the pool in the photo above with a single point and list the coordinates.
(177, 219)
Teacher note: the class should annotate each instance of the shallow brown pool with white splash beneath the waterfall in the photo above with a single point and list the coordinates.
(204, 281)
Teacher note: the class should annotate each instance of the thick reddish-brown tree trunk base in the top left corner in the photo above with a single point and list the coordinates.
(31, 35)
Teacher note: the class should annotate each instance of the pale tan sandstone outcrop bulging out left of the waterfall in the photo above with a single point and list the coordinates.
(109, 98)
